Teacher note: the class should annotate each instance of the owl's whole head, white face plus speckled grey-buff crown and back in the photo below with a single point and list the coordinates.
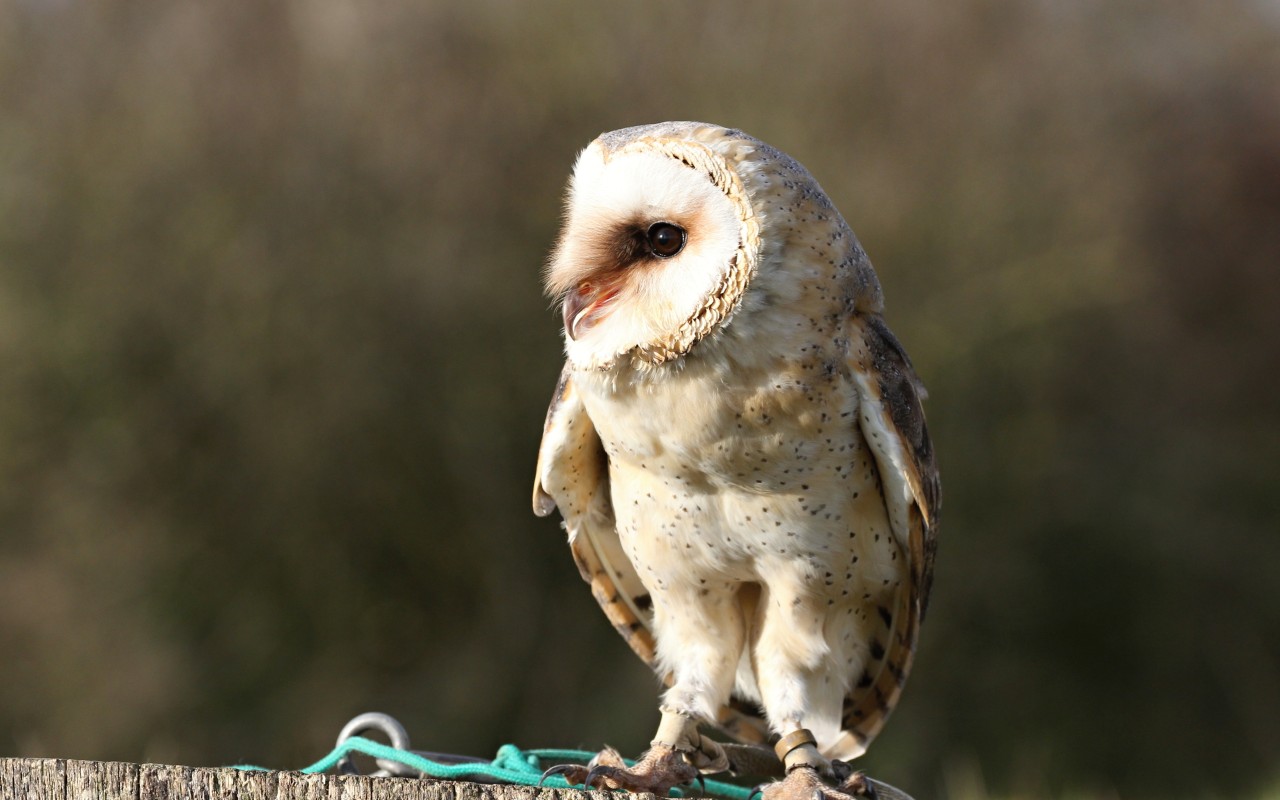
(670, 231)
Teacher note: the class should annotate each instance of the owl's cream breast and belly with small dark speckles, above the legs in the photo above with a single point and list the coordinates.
(729, 473)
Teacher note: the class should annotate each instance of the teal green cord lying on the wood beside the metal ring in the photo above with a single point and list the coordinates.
(511, 766)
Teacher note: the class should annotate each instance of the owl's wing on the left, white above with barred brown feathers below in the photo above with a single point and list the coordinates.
(574, 477)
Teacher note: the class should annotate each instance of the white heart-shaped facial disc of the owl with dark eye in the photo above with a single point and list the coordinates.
(659, 245)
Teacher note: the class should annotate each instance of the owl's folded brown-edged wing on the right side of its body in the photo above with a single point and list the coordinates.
(892, 419)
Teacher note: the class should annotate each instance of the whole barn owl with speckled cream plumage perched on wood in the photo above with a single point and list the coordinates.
(738, 450)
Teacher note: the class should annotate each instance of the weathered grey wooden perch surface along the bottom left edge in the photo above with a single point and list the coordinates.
(49, 779)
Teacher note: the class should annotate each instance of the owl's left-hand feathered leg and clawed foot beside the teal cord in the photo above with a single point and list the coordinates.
(701, 636)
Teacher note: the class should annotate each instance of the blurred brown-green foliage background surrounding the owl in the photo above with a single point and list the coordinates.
(275, 362)
